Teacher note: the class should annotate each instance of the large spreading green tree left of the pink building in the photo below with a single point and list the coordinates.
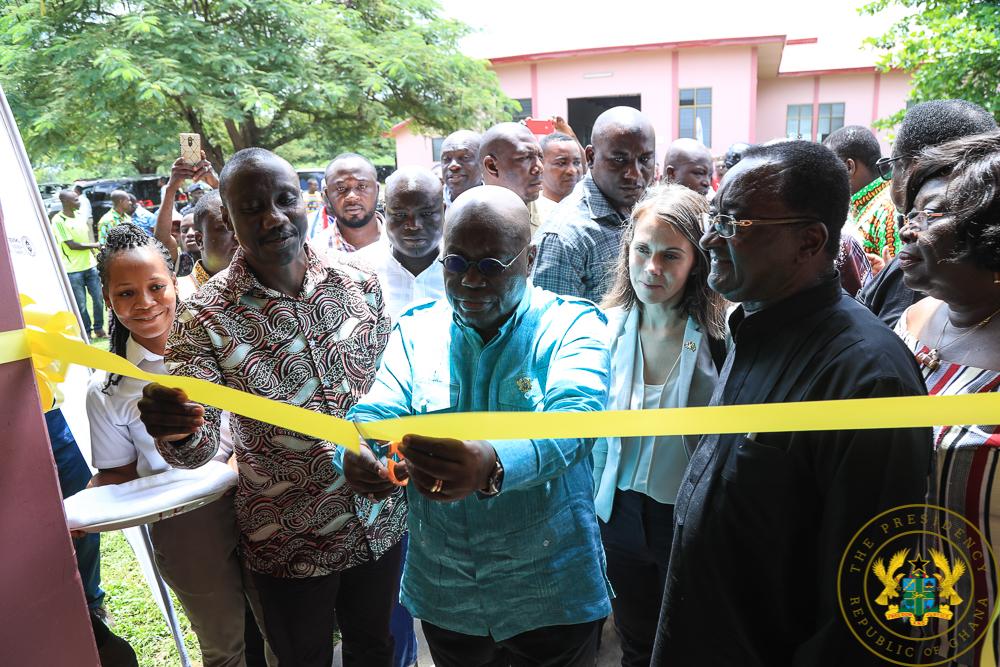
(93, 82)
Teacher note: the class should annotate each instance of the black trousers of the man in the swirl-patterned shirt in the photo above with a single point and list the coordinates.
(299, 614)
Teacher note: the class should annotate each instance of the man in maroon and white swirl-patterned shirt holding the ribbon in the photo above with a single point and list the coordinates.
(280, 323)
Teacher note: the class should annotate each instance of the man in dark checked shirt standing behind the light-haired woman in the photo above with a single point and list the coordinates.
(581, 241)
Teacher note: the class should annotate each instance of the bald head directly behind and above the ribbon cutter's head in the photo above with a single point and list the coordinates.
(511, 157)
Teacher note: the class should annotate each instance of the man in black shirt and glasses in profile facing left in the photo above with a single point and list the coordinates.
(762, 520)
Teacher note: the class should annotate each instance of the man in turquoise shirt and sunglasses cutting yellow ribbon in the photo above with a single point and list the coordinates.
(505, 558)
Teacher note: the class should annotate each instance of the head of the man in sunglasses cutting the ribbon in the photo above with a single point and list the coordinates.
(488, 257)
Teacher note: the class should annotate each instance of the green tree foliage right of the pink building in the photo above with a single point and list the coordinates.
(952, 48)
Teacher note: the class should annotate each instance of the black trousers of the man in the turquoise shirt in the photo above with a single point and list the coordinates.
(551, 646)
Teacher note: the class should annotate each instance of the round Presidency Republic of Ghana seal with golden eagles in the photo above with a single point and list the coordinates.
(910, 609)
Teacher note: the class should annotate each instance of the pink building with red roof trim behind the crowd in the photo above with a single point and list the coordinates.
(717, 90)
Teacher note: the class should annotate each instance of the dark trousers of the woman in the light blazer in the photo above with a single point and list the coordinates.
(637, 546)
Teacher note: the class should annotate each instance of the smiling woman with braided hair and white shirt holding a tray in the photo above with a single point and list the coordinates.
(196, 551)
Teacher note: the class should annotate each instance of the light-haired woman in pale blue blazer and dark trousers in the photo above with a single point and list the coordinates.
(667, 330)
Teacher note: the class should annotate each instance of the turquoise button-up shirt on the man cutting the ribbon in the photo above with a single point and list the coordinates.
(530, 556)
